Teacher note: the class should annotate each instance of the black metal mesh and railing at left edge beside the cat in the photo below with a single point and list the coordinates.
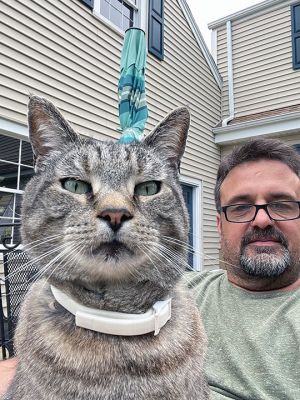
(17, 277)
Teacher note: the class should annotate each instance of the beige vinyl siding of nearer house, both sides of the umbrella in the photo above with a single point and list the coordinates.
(60, 50)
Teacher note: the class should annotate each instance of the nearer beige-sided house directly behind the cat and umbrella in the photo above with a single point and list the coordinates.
(69, 51)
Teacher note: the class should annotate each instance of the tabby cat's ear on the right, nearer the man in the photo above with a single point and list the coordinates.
(170, 134)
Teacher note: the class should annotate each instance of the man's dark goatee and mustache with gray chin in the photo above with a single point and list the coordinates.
(266, 262)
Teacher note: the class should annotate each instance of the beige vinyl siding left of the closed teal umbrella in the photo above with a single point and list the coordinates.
(65, 54)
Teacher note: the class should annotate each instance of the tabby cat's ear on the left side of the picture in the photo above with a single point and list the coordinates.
(48, 129)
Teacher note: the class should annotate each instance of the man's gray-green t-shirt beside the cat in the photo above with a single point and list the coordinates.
(253, 339)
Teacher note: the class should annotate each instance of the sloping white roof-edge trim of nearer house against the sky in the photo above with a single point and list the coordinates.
(199, 39)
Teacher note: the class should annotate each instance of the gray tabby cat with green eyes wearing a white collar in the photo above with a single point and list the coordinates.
(106, 225)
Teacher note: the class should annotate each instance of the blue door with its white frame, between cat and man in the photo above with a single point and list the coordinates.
(191, 190)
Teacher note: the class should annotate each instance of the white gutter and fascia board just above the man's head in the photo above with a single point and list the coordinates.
(279, 125)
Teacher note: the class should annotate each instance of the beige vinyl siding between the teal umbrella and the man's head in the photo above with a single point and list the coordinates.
(184, 78)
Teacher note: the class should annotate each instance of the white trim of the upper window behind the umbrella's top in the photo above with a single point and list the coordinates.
(140, 18)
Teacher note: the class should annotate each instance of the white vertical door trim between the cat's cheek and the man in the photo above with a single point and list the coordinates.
(197, 220)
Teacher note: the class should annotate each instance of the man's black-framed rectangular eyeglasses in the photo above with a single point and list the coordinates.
(276, 211)
